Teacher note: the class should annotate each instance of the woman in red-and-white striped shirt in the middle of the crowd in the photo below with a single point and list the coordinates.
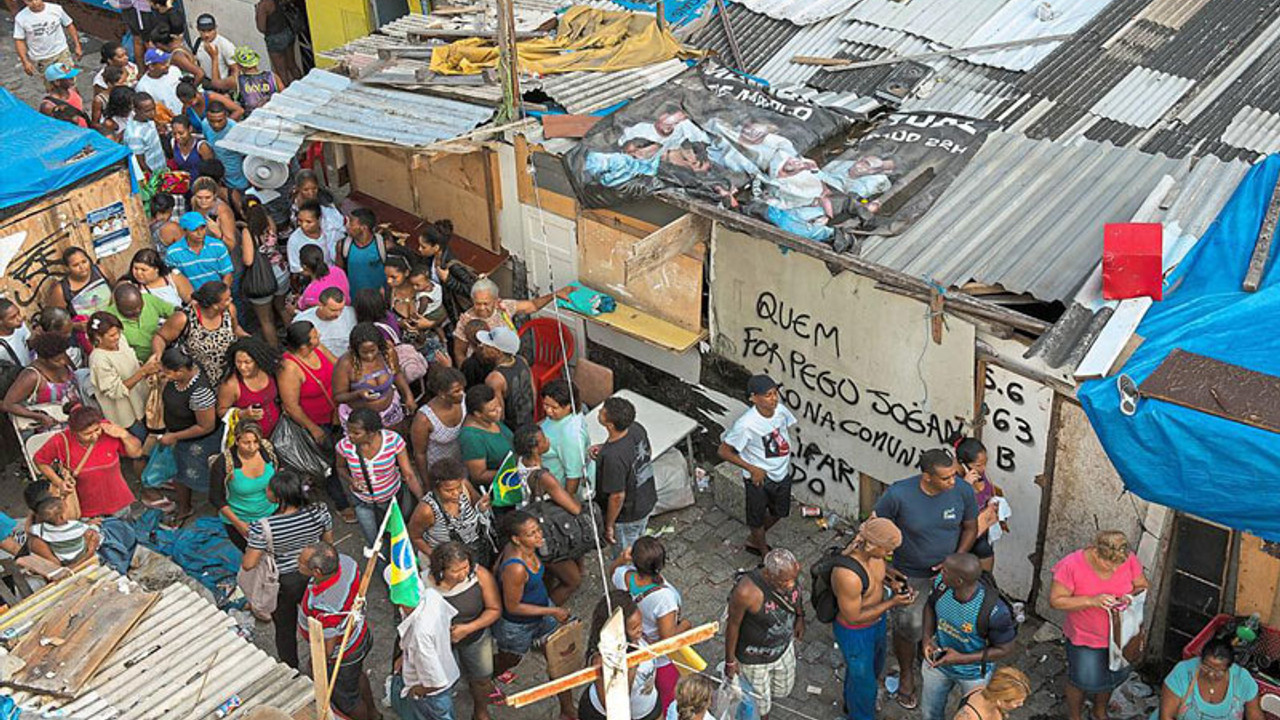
(377, 468)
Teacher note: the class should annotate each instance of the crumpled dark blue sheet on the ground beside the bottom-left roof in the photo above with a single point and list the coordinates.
(200, 549)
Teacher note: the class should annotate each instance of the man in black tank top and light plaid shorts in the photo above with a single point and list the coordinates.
(766, 617)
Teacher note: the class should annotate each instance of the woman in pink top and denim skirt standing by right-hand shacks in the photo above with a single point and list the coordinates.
(1087, 586)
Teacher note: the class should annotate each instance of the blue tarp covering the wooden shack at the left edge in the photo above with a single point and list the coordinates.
(43, 156)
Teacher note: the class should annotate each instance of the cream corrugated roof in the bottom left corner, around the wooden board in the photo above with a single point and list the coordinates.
(186, 634)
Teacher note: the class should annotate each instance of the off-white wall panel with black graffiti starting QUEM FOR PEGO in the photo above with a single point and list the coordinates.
(858, 366)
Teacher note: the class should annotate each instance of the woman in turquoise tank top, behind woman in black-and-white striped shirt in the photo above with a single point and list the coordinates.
(239, 482)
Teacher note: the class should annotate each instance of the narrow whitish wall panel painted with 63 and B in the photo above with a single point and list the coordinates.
(1017, 438)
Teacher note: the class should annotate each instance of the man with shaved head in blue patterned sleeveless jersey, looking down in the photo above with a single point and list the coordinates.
(967, 630)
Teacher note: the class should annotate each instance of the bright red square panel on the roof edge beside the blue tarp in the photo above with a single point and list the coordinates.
(1133, 261)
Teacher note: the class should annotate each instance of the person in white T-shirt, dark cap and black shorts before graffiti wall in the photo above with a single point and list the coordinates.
(758, 444)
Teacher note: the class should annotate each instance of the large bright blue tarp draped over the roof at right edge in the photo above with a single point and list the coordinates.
(1210, 467)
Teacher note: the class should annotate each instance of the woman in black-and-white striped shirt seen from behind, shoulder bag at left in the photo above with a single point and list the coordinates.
(298, 523)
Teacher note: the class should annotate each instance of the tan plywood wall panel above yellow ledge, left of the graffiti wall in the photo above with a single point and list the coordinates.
(673, 291)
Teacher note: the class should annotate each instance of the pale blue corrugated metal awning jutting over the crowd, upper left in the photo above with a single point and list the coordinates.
(330, 103)
